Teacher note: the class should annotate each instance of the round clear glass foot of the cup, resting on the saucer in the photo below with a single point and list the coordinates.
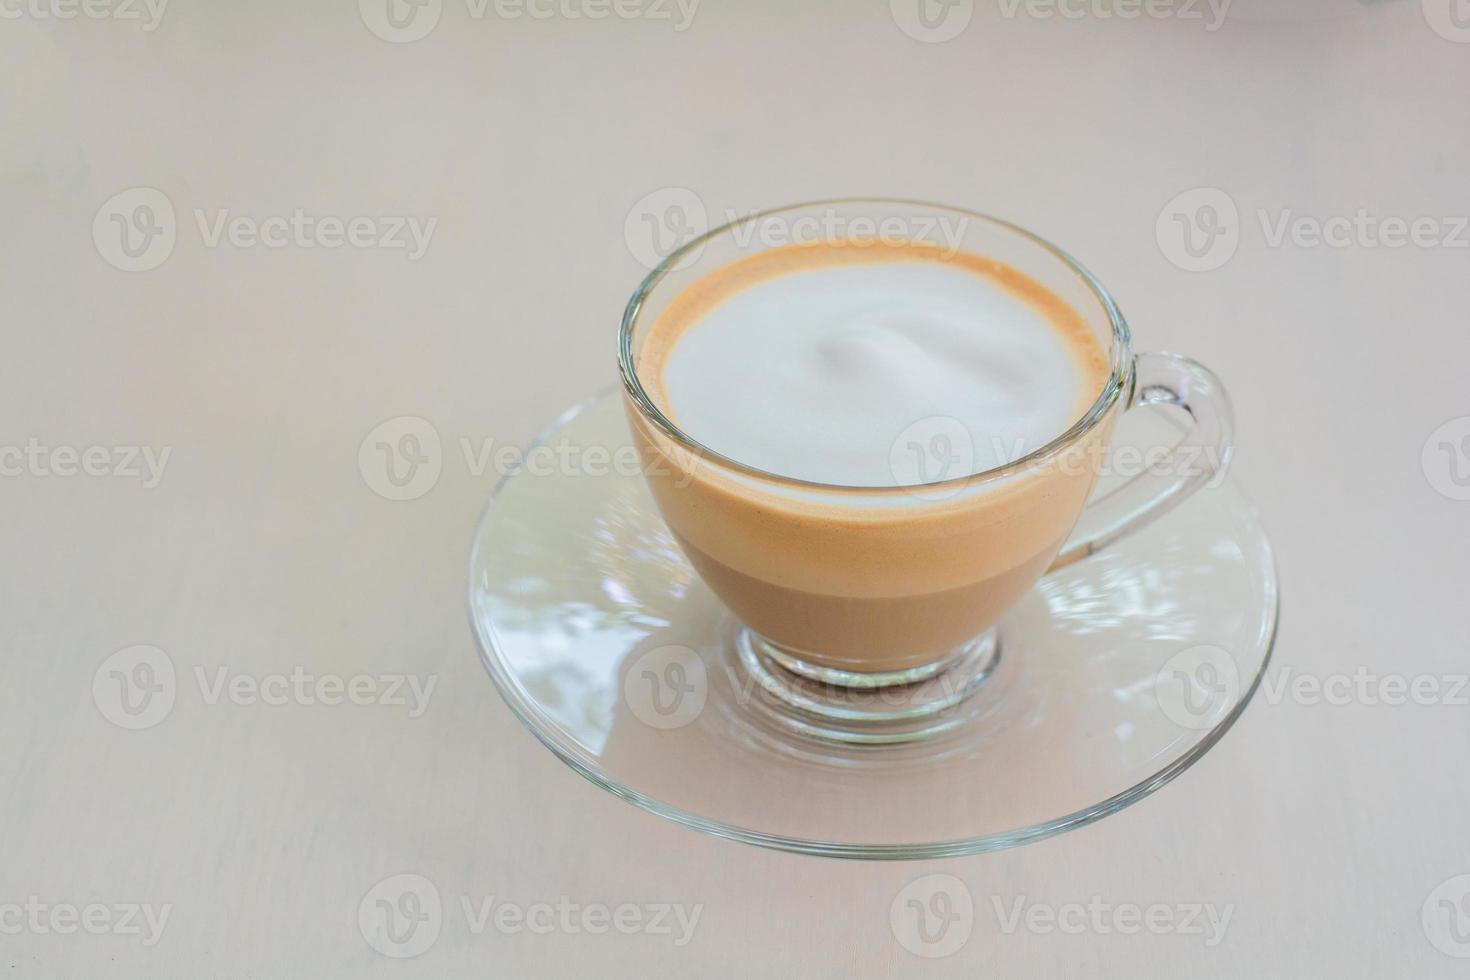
(865, 709)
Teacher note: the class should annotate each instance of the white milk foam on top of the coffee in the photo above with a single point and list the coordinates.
(874, 375)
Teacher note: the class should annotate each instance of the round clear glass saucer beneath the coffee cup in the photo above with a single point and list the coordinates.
(1106, 682)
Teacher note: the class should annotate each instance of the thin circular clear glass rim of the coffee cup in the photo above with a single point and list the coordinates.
(1119, 375)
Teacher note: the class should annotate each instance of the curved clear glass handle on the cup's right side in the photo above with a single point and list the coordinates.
(1162, 380)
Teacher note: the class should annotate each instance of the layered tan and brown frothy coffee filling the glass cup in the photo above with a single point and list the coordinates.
(871, 580)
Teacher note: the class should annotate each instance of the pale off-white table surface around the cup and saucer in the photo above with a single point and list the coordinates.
(264, 552)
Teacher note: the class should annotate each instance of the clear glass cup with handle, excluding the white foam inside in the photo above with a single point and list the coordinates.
(871, 587)
